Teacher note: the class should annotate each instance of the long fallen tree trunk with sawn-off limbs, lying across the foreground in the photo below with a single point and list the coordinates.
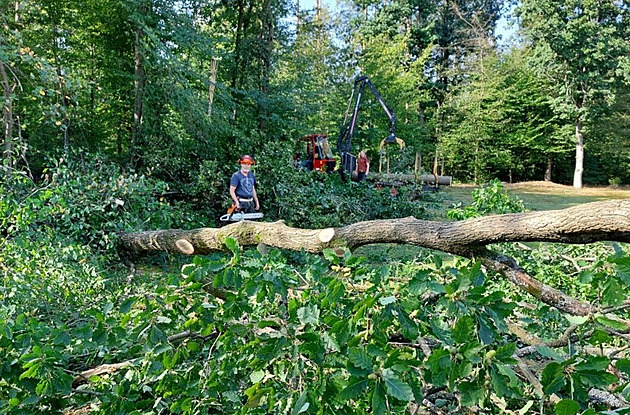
(598, 221)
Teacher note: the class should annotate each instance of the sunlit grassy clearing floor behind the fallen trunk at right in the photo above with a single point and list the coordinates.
(543, 195)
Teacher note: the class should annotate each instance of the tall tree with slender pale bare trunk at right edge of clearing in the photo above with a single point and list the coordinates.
(578, 46)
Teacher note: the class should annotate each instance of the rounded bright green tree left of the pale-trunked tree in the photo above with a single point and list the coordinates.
(500, 123)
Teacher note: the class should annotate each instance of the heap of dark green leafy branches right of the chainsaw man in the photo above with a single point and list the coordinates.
(314, 199)
